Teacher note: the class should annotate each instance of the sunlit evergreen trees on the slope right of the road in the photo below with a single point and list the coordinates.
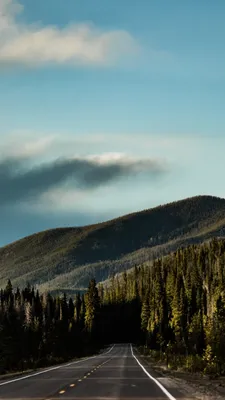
(182, 306)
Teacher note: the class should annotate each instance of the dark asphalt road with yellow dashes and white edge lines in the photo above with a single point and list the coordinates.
(115, 374)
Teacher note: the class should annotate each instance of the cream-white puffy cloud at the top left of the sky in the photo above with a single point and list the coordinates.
(33, 45)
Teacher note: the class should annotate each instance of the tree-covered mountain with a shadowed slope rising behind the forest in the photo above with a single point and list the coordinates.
(66, 258)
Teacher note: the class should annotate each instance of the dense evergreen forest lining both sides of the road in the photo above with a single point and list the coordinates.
(173, 310)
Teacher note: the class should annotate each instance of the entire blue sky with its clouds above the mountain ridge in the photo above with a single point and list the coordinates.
(106, 108)
